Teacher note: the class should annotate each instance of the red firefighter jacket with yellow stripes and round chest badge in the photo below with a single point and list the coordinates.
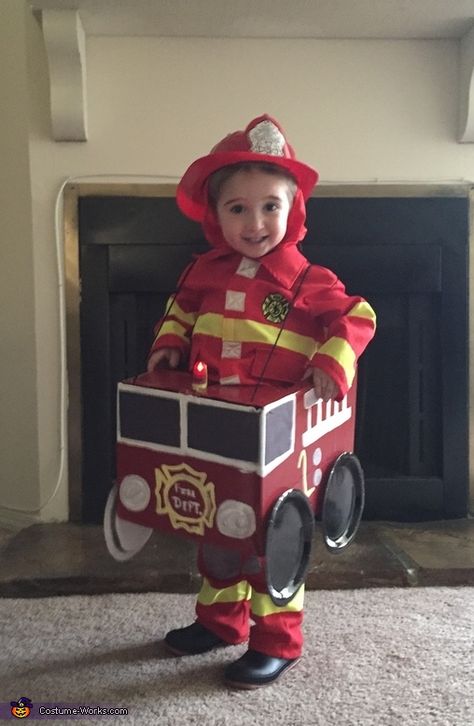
(231, 311)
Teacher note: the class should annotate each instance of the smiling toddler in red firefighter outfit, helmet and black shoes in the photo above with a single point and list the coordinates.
(249, 195)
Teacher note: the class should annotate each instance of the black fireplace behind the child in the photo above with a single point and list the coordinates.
(405, 251)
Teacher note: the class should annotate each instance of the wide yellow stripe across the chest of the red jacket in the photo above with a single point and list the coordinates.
(249, 331)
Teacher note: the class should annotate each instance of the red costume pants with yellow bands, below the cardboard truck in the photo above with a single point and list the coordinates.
(226, 605)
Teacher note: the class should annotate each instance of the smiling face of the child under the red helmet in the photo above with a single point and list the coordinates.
(253, 209)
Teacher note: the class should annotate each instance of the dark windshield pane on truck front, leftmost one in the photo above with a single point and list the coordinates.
(149, 418)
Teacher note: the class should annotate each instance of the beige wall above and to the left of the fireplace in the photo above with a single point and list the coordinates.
(359, 111)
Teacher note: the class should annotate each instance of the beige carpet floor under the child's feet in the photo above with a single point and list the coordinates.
(374, 657)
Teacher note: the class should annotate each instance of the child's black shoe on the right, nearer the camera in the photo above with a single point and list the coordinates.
(256, 669)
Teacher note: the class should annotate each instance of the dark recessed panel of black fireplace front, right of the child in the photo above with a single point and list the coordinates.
(399, 410)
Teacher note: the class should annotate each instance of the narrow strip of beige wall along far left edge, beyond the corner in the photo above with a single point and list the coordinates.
(19, 455)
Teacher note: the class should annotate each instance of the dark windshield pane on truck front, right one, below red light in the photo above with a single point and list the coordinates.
(224, 431)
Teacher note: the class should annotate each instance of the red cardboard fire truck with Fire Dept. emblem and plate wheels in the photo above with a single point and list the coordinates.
(235, 466)
